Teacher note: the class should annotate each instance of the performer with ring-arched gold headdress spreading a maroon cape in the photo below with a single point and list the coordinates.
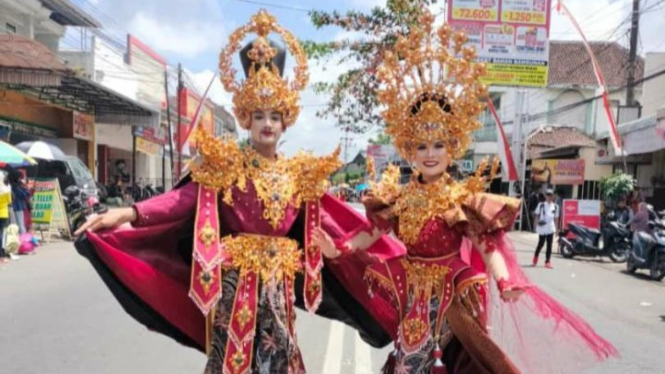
(243, 287)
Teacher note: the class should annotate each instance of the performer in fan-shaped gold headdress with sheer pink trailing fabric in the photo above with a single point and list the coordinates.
(452, 317)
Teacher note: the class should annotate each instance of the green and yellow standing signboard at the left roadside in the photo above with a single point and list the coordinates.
(48, 209)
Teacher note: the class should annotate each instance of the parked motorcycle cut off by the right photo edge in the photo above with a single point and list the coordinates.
(649, 249)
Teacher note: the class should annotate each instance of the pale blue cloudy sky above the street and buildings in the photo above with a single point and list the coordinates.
(192, 32)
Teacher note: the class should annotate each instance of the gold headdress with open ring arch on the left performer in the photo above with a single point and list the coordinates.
(264, 88)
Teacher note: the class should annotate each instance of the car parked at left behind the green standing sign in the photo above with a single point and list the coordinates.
(70, 171)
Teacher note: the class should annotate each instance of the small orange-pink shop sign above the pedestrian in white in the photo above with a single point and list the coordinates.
(558, 171)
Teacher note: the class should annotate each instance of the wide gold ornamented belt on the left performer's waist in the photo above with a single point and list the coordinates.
(268, 256)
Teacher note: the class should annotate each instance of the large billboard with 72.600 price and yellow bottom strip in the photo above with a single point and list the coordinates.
(510, 36)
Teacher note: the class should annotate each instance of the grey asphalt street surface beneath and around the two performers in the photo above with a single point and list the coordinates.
(58, 317)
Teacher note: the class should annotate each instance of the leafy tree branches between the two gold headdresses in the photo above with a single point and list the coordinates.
(353, 99)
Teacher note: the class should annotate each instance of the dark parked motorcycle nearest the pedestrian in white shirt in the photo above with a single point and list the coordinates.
(616, 241)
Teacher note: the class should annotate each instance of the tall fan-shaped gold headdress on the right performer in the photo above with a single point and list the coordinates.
(431, 89)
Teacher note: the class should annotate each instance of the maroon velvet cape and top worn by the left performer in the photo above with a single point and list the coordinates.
(148, 266)
